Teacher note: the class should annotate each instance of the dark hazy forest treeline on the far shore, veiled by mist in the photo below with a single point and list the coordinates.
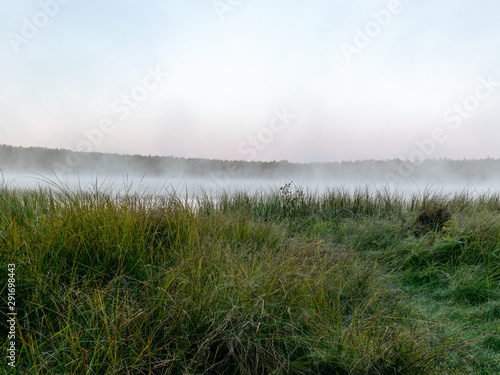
(47, 161)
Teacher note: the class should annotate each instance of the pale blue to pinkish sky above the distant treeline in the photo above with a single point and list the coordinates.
(314, 81)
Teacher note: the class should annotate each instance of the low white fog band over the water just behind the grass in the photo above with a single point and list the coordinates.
(191, 186)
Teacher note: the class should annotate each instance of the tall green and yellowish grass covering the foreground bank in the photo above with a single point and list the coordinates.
(288, 282)
